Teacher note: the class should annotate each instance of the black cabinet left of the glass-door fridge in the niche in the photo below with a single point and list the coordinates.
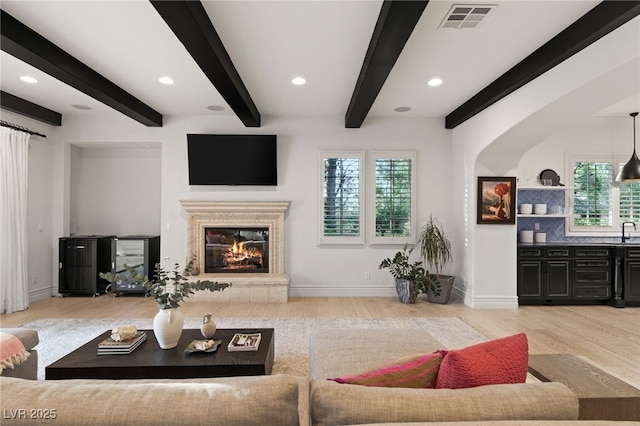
(81, 259)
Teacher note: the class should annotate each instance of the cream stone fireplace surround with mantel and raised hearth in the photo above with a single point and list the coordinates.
(253, 287)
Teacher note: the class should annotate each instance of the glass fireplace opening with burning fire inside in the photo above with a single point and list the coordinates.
(236, 250)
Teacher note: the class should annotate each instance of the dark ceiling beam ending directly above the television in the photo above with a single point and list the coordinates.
(190, 23)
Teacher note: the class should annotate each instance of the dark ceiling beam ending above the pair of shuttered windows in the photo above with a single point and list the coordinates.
(395, 24)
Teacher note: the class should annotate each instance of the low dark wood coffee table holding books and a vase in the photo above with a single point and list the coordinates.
(148, 361)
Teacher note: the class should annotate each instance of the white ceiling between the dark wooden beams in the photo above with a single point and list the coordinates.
(270, 42)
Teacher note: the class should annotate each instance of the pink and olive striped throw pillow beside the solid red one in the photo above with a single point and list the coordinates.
(419, 372)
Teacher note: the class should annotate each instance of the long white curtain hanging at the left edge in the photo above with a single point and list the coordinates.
(14, 173)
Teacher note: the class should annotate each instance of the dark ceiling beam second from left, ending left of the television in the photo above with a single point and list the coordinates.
(27, 45)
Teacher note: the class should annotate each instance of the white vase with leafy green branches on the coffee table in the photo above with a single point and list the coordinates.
(168, 288)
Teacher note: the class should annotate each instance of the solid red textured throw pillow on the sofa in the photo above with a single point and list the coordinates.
(495, 362)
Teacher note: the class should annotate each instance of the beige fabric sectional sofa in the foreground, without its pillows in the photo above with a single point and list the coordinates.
(290, 400)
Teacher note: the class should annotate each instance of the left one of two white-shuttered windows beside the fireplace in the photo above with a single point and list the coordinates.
(342, 189)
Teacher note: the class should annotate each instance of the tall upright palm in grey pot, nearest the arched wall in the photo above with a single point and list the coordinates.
(436, 250)
